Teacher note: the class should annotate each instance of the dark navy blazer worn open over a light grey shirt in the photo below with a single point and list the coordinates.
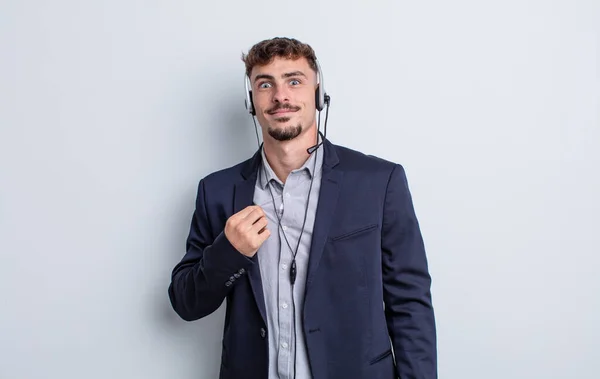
(368, 312)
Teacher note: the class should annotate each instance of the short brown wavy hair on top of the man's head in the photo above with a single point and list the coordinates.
(265, 51)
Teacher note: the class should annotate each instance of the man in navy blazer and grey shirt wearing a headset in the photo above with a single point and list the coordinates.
(317, 251)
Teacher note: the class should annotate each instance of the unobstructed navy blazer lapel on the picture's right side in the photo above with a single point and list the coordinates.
(328, 196)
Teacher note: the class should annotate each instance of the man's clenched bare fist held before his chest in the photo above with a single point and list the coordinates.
(247, 230)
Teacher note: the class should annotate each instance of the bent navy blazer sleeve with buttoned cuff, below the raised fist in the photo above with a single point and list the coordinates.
(207, 273)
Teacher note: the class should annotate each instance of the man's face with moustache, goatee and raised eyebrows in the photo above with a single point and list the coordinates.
(284, 97)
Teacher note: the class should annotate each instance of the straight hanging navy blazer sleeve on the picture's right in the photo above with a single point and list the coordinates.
(407, 284)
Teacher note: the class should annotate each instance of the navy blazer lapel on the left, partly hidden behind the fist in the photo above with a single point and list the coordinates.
(244, 197)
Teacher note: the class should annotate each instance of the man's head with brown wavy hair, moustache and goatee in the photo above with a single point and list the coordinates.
(283, 80)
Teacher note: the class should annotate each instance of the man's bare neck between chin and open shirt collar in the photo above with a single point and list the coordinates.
(286, 156)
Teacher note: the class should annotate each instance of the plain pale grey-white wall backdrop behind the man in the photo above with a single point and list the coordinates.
(112, 111)
